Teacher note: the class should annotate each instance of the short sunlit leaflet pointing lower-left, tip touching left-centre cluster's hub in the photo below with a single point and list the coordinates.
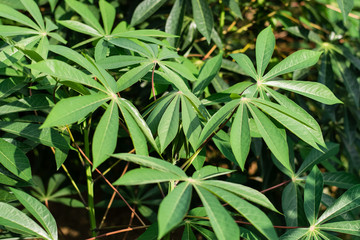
(132, 76)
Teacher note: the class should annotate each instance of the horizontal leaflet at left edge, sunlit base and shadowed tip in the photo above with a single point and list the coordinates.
(35, 102)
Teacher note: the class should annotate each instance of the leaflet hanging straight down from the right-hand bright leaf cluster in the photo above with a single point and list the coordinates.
(240, 138)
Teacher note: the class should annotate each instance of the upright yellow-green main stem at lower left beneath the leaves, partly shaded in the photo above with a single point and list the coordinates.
(90, 184)
